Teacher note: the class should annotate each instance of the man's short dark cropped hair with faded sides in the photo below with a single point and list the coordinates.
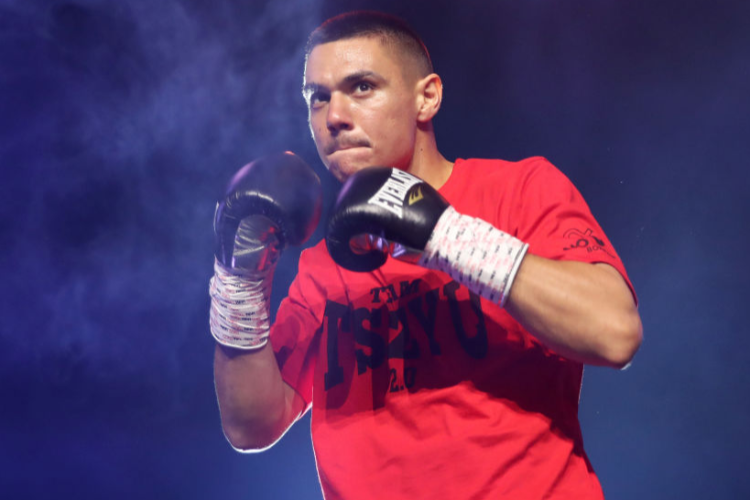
(364, 23)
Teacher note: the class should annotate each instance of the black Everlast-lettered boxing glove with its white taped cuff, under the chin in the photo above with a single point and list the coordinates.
(384, 211)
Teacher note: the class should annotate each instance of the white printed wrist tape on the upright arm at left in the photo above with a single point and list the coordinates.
(240, 310)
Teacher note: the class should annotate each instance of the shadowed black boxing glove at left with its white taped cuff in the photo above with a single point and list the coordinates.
(269, 204)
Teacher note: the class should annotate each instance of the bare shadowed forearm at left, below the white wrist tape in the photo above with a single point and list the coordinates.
(253, 398)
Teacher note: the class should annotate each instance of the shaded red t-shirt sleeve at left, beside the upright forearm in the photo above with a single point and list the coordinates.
(295, 333)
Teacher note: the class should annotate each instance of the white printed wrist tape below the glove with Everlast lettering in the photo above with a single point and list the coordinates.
(475, 254)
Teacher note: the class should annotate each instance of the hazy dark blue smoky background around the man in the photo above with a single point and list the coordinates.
(120, 122)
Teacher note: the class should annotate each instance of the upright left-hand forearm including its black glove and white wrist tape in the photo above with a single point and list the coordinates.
(269, 203)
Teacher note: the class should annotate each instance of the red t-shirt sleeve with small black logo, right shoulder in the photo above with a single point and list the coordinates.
(557, 223)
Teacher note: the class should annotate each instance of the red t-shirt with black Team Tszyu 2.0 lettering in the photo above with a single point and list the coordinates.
(421, 389)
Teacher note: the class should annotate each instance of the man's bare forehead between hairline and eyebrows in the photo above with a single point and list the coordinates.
(330, 62)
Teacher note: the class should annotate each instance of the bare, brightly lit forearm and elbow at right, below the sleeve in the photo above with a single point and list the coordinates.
(584, 312)
